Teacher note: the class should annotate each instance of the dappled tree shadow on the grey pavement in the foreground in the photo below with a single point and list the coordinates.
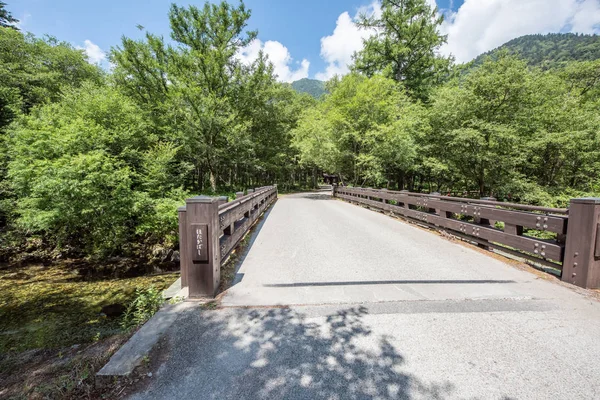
(280, 353)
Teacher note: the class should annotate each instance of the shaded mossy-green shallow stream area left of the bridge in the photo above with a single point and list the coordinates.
(53, 306)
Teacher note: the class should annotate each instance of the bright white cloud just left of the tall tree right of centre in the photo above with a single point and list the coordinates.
(338, 48)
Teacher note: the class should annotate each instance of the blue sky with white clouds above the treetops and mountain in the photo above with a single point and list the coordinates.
(313, 38)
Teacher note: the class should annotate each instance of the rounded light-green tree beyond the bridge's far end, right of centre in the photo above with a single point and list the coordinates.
(365, 127)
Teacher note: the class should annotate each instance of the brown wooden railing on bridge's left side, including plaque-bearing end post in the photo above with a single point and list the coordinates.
(209, 229)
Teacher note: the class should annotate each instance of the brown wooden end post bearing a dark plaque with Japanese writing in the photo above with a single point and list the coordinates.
(204, 253)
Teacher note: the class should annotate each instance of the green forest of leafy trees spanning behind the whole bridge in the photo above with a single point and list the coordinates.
(95, 162)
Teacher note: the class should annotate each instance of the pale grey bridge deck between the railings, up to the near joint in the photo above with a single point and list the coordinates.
(313, 249)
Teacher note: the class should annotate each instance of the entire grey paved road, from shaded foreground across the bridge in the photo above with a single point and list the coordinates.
(379, 309)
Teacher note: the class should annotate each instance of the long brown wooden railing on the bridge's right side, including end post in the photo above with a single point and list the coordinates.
(572, 241)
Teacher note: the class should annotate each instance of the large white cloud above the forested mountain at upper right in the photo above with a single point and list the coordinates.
(482, 25)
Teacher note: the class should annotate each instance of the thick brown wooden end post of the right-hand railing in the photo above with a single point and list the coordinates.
(581, 265)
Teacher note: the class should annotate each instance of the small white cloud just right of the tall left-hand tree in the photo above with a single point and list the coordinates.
(279, 56)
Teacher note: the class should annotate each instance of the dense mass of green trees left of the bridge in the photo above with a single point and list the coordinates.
(97, 167)
